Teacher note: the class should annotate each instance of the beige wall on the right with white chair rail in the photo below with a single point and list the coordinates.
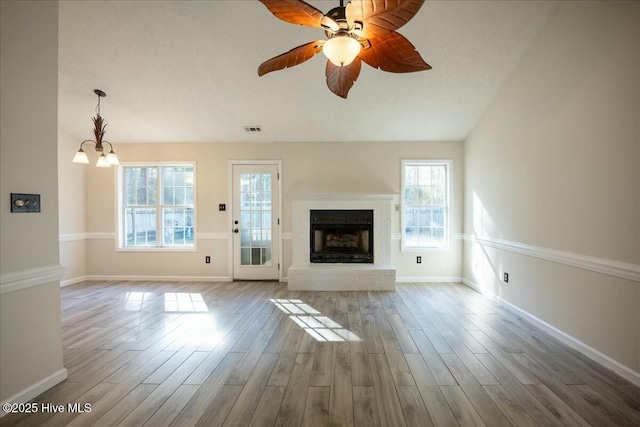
(553, 165)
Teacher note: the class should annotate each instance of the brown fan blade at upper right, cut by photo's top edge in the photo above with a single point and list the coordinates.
(381, 16)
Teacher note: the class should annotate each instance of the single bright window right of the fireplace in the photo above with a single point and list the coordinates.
(425, 203)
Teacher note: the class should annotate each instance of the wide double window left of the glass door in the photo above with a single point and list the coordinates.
(157, 206)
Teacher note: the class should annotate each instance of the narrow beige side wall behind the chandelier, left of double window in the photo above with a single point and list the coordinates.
(72, 211)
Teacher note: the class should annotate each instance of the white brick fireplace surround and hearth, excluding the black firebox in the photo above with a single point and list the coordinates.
(304, 275)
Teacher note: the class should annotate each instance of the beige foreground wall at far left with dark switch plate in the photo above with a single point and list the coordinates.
(30, 338)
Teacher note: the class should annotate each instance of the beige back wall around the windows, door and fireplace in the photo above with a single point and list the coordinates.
(306, 168)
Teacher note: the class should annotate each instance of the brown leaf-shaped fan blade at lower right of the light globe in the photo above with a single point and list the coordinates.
(393, 53)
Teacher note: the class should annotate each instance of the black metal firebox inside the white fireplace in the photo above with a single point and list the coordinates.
(341, 236)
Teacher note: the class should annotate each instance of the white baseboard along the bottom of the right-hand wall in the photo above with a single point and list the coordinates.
(606, 361)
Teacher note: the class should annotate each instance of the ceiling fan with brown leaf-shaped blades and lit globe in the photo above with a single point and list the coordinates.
(363, 30)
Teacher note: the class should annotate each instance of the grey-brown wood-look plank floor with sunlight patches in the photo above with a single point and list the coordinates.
(252, 353)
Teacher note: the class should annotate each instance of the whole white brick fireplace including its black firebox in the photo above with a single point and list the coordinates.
(354, 259)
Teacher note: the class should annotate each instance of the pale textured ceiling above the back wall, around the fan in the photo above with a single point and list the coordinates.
(186, 71)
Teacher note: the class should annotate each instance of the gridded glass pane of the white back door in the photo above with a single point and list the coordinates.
(255, 222)
